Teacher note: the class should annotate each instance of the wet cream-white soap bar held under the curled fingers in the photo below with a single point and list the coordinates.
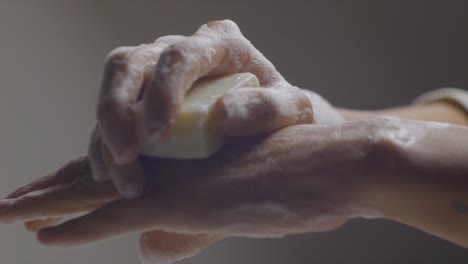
(193, 134)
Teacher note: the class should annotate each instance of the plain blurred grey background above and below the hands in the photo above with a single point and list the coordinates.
(360, 54)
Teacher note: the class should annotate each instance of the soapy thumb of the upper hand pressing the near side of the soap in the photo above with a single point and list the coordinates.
(252, 111)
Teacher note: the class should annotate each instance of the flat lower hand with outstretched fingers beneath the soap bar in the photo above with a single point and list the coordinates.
(299, 179)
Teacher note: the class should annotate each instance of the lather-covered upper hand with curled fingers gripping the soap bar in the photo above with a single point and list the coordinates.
(161, 73)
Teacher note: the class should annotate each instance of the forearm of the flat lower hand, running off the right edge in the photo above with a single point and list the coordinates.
(429, 189)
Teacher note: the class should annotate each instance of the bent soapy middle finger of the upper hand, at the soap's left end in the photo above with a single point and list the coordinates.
(124, 75)
